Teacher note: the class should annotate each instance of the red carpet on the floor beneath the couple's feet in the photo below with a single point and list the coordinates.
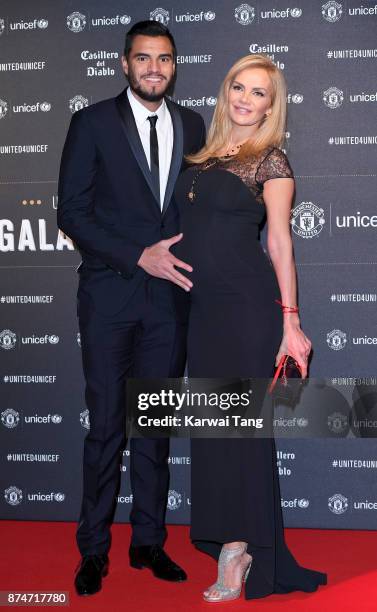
(42, 556)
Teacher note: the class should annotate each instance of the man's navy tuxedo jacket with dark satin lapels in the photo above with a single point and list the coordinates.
(107, 204)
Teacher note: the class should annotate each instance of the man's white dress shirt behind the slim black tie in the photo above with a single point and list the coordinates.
(165, 136)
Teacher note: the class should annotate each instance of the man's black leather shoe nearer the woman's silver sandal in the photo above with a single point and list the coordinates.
(158, 561)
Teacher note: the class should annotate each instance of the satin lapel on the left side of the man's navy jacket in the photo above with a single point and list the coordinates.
(132, 135)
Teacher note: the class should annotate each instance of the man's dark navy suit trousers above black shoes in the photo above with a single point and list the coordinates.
(145, 339)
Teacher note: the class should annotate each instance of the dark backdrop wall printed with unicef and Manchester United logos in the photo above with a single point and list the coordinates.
(56, 58)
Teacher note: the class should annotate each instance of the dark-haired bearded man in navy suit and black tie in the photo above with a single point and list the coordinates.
(120, 162)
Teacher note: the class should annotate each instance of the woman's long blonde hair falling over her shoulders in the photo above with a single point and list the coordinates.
(271, 131)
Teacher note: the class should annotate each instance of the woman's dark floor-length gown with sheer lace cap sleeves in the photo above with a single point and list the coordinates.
(235, 329)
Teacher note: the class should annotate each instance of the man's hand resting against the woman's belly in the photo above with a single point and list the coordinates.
(158, 261)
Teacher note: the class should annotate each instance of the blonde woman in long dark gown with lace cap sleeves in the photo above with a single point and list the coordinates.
(236, 327)
